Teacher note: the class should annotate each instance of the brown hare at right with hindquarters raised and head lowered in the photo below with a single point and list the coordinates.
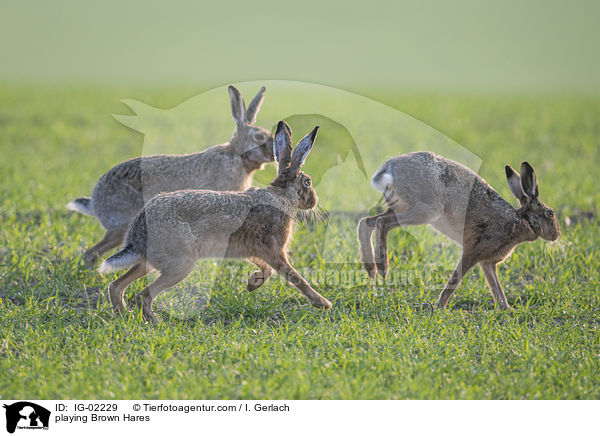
(424, 188)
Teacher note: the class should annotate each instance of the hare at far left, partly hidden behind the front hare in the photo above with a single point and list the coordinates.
(122, 191)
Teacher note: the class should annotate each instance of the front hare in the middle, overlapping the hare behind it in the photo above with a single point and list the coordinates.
(174, 230)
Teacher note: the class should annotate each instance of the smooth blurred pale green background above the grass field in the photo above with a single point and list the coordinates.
(464, 45)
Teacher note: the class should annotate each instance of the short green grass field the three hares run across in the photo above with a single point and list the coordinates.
(60, 339)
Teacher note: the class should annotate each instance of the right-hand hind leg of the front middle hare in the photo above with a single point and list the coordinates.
(169, 276)
